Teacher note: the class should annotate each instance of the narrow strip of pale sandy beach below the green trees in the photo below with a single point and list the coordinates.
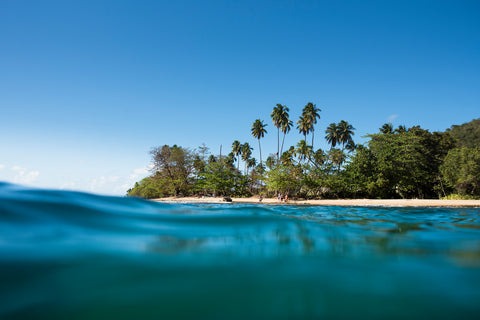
(330, 202)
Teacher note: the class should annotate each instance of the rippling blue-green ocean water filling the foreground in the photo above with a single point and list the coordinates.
(67, 255)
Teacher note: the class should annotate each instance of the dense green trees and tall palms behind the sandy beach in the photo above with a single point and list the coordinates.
(395, 163)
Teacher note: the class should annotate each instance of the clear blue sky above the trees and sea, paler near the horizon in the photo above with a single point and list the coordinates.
(87, 88)
